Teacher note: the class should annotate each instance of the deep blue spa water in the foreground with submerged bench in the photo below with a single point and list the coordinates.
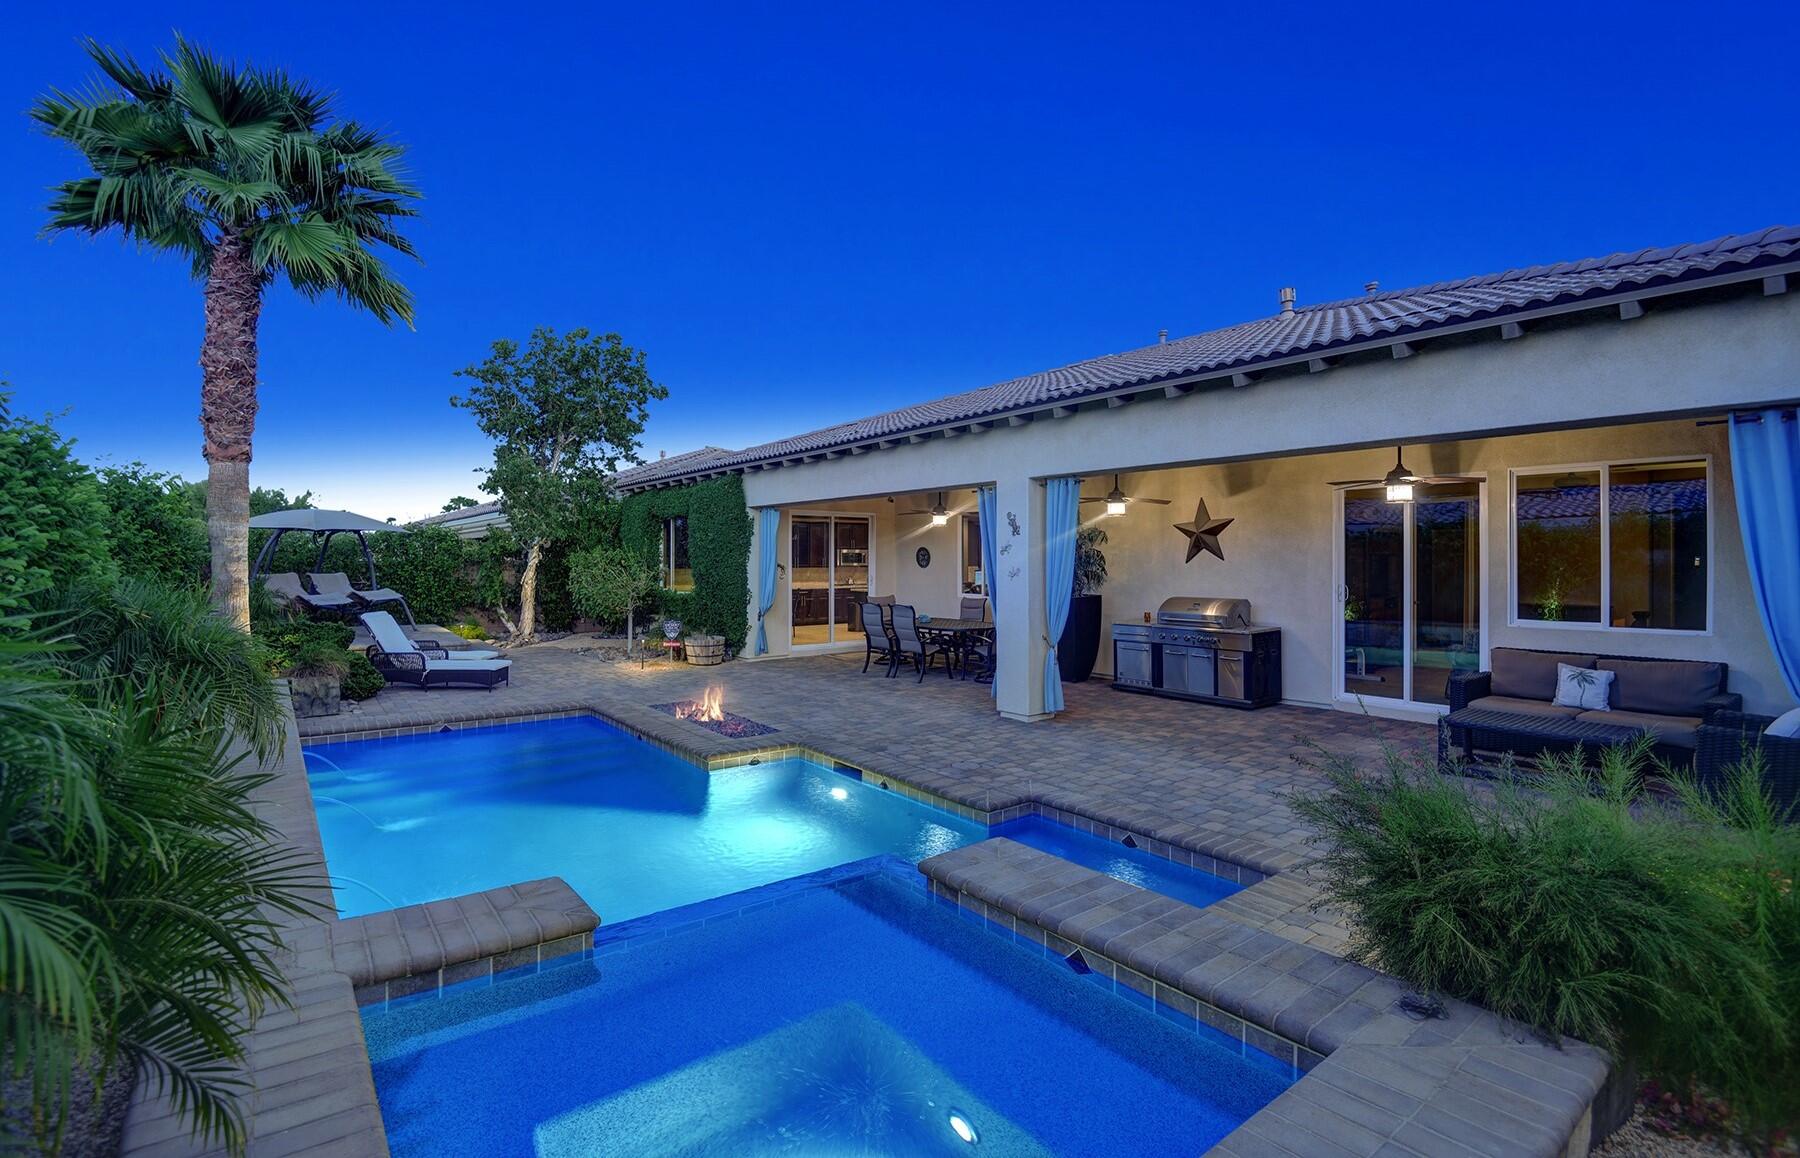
(849, 1015)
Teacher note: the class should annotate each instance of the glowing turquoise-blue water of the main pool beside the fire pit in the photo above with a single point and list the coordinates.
(633, 829)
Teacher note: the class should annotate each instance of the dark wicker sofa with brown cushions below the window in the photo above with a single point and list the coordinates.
(1668, 698)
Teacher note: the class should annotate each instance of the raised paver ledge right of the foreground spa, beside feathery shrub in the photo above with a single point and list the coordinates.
(1464, 1083)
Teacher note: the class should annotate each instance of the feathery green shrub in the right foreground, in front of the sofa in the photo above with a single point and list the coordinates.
(1585, 909)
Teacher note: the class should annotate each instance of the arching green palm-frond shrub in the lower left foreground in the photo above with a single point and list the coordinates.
(143, 898)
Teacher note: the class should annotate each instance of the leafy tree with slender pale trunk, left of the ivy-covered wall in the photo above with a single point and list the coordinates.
(564, 412)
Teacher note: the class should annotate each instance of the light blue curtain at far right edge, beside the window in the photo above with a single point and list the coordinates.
(1767, 476)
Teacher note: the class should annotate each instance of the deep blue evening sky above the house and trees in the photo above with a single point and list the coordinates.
(807, 213)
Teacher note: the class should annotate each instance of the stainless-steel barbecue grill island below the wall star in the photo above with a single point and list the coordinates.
(1201, 649)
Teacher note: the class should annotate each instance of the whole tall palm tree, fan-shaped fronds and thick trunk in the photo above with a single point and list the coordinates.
(247, 176)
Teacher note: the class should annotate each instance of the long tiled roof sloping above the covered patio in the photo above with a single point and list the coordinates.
(1309, 330)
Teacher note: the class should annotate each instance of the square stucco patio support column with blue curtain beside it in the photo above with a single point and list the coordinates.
(1020, 577)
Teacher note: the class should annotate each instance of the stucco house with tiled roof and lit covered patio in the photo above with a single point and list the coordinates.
(1565, 430)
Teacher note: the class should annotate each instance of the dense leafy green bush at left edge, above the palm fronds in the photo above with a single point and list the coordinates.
(53, 518)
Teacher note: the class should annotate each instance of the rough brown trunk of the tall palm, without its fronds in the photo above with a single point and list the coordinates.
(228, 419)
